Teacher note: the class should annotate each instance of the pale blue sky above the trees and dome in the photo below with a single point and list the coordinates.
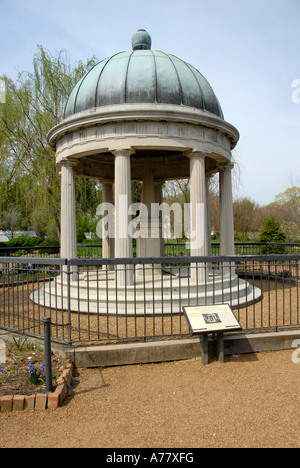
(249, 50)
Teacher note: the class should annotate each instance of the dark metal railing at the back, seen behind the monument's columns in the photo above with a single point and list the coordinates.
(180, 249)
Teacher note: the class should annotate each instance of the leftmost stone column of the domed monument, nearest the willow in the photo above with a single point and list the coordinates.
(68, 236)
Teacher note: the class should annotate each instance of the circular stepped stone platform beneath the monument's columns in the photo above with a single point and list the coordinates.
(99, 293)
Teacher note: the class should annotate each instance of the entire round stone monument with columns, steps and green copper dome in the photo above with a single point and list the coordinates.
(145, 115)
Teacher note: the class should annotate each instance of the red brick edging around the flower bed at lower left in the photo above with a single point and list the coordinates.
(41, 401)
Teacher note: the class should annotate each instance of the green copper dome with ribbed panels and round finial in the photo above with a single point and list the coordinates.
(143, 76)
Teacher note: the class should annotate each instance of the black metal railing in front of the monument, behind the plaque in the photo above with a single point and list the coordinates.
(101, 301)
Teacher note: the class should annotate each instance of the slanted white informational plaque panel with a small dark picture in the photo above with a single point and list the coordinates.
(212, 318)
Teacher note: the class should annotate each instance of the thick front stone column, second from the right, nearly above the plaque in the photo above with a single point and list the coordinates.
(198, 216)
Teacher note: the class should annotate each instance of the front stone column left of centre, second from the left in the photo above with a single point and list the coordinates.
(123, 242)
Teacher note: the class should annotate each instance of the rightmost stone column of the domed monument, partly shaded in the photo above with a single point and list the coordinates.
(226, 214)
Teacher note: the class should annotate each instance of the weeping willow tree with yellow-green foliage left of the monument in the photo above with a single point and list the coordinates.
(29, 178)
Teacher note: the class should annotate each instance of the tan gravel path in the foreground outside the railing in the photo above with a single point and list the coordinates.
(250, 401)
